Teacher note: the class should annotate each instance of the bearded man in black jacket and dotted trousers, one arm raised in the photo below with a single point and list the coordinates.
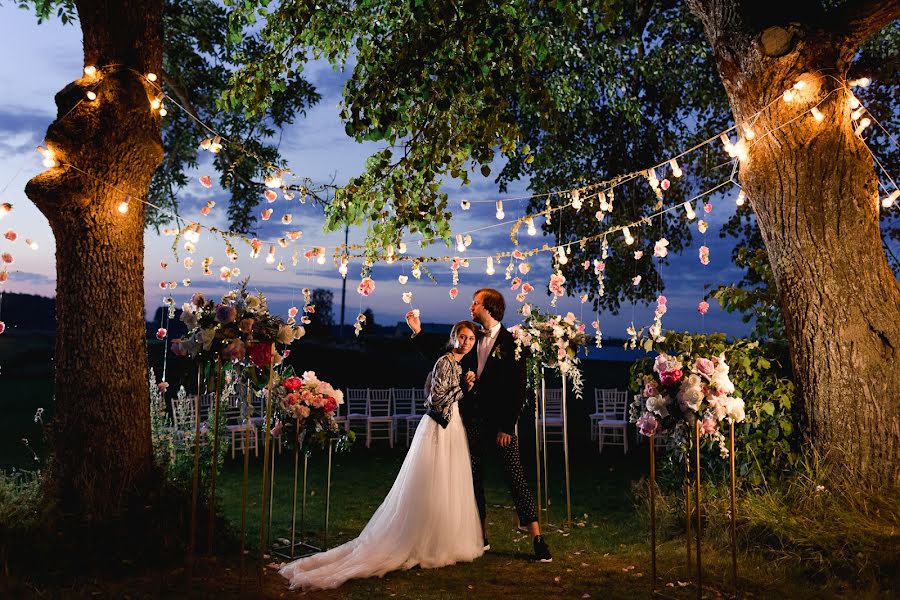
(490, 414)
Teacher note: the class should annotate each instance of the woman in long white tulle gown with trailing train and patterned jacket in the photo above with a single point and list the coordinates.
(429, 518)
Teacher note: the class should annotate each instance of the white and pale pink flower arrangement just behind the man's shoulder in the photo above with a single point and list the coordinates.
(551, 340)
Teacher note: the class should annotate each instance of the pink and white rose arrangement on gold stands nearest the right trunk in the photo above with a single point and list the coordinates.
(682, 390)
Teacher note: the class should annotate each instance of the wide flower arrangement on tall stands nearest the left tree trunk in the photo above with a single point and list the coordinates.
(238, 327)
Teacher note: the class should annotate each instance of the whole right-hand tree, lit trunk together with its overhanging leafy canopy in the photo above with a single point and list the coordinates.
(447, 85)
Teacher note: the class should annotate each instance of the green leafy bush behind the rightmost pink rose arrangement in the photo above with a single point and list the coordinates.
(767, 443)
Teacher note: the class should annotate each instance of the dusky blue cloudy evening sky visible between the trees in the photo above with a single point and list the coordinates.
(48, 56)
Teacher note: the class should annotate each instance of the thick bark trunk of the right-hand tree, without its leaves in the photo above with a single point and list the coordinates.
(814, 191)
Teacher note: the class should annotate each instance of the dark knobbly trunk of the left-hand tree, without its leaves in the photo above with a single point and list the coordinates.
(106, 149)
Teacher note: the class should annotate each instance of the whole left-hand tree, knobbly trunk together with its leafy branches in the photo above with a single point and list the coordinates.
(107, 148)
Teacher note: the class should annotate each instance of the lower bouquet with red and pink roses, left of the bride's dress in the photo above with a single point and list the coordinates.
(305, 410)
